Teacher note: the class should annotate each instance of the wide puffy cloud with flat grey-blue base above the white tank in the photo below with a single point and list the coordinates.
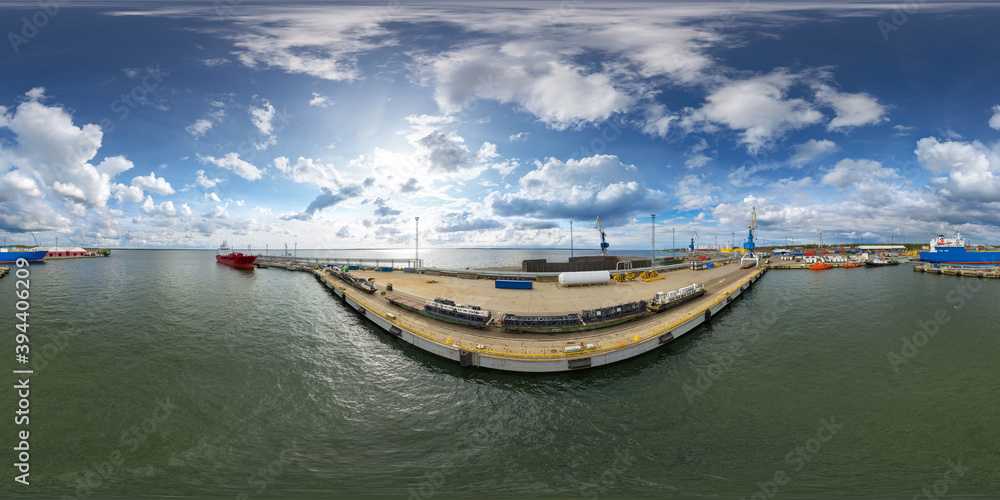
(598, 185)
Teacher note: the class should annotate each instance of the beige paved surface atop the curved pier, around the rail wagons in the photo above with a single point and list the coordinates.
(545, 298)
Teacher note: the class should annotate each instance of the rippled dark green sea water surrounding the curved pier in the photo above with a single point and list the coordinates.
(162, 374)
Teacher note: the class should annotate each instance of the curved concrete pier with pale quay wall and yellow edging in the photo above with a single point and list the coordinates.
(496, 348)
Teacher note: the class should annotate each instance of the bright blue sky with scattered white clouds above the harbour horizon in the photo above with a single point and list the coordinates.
(335, 124)
